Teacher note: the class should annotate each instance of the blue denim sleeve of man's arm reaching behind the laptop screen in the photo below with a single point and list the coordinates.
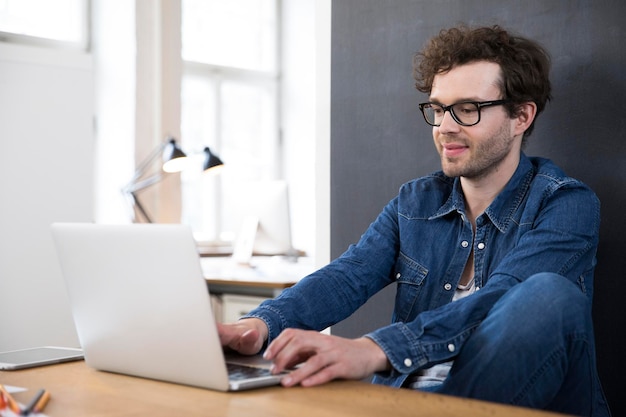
(337, 290)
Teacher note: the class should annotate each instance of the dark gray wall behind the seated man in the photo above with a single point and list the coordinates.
(379, 140)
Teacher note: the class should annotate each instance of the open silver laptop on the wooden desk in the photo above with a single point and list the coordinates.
(141, 305)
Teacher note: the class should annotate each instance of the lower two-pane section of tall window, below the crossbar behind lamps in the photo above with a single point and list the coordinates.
(247, 145)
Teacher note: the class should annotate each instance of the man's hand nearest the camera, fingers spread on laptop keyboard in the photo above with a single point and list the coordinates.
(323, 358)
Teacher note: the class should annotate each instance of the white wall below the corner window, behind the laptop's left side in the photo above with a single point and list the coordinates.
(46, 175)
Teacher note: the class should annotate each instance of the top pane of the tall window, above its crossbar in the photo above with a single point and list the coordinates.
(236, 33)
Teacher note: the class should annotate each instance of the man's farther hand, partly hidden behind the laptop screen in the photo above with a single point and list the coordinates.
(245, 336)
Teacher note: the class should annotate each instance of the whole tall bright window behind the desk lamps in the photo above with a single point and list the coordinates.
(229, 102)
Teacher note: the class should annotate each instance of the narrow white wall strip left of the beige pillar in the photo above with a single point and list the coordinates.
(113, 26)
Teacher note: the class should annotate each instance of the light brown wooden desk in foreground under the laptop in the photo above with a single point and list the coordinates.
(78, 390)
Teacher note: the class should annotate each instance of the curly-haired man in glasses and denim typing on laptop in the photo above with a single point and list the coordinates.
(493, 257)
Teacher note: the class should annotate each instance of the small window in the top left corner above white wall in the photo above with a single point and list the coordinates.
(56, 23)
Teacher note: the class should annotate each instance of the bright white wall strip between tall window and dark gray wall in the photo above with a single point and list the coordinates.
(306, 122)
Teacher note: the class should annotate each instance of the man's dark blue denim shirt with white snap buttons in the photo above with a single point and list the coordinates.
(542, 221)
